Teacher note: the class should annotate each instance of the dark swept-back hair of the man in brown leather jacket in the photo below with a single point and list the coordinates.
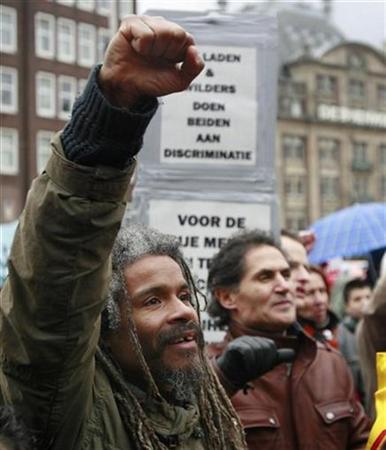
(228, 266)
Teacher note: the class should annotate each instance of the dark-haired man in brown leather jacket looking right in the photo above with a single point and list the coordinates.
(308, 404)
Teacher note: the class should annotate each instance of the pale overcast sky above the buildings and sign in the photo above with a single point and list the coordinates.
(360, 20)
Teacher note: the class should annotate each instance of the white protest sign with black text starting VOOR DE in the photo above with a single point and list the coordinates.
(202, 228)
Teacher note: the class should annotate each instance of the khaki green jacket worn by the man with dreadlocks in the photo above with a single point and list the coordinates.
(50, 312)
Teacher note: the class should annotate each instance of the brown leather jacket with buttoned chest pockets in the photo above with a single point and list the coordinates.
(307, 405)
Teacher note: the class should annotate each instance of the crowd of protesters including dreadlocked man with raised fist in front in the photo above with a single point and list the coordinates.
(101, 344)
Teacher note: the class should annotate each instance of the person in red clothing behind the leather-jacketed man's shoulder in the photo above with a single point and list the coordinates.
(316, 317)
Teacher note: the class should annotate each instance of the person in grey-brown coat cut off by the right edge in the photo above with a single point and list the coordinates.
(371, 338)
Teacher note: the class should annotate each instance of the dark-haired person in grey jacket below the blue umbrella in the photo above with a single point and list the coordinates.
(356, 298)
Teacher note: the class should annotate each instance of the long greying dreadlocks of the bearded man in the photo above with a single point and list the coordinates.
(221, 428)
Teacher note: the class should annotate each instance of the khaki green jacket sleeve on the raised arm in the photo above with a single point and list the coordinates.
(56, 288)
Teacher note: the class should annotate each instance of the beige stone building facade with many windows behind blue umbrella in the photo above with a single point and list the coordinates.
(331, 134)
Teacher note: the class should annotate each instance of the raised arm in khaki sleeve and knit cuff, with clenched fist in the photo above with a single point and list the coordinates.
(59, 265)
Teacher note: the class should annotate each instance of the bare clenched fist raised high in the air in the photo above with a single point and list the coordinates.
(148, 56)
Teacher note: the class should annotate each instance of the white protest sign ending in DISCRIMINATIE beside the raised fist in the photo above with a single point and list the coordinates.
(215, 120)
